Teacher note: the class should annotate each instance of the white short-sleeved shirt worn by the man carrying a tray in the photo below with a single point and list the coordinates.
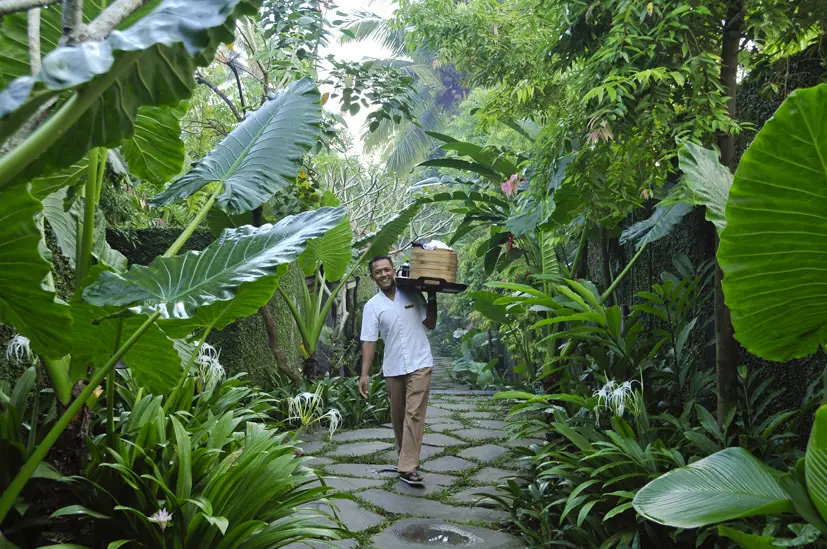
(399, 323)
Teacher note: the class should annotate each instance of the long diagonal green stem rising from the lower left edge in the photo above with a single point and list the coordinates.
(9, 496)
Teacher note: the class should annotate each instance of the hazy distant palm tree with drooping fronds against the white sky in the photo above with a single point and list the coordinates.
(438, 93)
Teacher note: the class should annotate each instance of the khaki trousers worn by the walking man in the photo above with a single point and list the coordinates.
(409, 401)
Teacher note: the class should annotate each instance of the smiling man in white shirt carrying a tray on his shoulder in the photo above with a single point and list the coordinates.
(400, 317)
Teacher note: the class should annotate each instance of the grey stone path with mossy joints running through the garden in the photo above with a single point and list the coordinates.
(466, 453)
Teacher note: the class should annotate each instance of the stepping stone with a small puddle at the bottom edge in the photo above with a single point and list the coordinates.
(413, 533)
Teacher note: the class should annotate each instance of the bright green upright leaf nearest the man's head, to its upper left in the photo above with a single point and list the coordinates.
(332, 251)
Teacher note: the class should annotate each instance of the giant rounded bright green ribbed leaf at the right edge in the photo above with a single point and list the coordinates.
(772, 250)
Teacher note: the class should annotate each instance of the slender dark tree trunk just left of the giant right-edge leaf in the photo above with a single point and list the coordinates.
(726, 348)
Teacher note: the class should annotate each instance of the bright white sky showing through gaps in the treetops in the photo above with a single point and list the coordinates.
(356, 51)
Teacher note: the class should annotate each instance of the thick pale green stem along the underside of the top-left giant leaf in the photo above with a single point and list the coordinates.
(22, 156)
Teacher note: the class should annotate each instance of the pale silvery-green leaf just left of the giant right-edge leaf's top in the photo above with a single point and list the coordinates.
(707, 180)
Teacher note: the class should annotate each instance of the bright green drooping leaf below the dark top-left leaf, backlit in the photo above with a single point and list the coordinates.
(156, 152)
